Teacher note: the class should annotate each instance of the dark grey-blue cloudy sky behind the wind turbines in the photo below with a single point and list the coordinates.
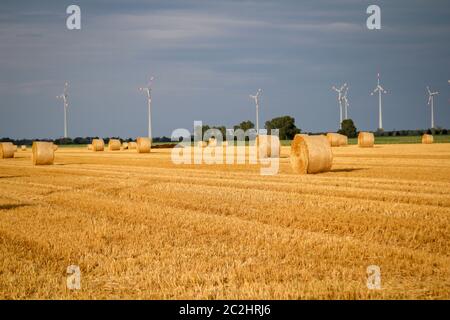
(208, 56)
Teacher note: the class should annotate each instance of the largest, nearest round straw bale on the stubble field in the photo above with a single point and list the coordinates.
(311, 154)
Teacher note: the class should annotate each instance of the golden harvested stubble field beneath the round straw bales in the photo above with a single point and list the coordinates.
(141, 227)
